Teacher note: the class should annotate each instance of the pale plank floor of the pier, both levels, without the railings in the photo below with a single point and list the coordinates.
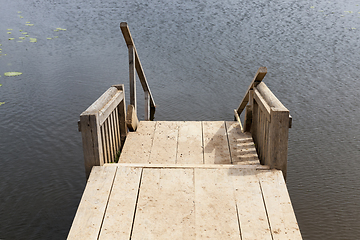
(186, 180)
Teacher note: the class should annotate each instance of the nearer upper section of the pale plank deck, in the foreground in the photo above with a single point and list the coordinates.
(184, 203)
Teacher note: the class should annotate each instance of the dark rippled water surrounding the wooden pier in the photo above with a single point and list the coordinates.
(199, 58)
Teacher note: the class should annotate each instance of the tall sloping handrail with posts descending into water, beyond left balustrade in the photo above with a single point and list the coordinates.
(134, 57)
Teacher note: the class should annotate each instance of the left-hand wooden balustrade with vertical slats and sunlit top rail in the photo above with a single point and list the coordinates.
(103, 128)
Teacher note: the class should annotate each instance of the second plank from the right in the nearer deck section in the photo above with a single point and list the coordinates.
(250, 205)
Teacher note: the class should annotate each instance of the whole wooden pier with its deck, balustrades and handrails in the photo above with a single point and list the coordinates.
(184, 179)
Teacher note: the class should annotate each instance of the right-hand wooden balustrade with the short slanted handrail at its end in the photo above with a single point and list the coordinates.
(268, 121)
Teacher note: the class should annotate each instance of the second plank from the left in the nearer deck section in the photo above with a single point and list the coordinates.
(120, 211)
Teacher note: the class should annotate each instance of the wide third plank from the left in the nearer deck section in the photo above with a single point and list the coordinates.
(166, 208)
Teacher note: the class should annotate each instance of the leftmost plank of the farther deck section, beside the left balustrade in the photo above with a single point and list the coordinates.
(138, 144)
